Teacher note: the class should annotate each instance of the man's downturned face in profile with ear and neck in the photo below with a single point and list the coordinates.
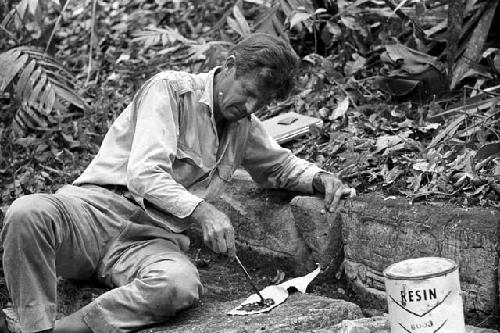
(241, 96)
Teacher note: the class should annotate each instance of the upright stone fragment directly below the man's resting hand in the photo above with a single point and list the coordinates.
(321, 233)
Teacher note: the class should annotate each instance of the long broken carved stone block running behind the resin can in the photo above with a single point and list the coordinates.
(375, 233)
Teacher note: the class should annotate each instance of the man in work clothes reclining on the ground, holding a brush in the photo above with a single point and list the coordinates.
(162, 160)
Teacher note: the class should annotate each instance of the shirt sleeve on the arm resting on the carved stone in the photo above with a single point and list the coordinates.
(271, 165)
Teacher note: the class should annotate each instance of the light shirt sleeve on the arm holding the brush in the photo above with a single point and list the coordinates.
(153, 152)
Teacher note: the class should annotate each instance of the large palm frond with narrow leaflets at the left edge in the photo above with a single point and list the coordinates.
(39, 82)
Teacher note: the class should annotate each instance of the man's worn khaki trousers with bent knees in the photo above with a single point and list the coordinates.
(93, 233)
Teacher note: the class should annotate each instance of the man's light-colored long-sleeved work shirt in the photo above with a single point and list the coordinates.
(164, 147)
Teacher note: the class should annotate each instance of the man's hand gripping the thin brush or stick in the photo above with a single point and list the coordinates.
(218, 233)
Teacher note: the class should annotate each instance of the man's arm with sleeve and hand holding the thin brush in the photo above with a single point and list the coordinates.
(149, 168)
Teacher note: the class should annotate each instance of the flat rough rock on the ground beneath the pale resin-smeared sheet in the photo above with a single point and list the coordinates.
(299, 313)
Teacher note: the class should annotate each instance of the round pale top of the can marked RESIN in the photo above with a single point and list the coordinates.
(420, 268)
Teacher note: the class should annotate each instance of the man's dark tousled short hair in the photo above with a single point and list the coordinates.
(269, 58)
